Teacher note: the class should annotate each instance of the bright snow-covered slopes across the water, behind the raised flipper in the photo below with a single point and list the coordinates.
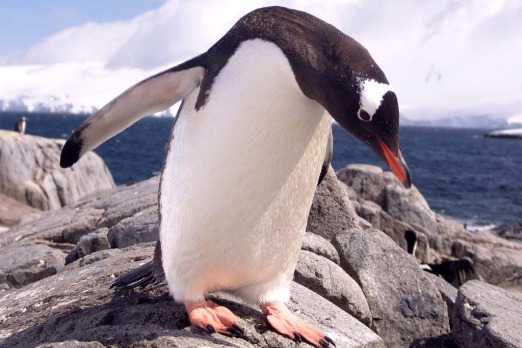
(72, 87)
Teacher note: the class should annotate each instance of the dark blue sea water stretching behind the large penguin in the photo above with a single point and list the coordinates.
(463, 175)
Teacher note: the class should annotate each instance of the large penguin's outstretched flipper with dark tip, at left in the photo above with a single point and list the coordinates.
(151, 95)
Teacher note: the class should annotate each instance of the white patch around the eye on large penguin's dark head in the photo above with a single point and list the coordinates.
(371, 94)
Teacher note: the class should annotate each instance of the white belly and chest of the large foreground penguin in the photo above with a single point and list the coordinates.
(239, 179)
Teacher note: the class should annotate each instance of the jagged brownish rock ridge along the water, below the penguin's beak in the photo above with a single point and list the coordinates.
(389, 207)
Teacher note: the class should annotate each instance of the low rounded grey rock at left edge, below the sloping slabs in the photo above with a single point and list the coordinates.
(23, 263)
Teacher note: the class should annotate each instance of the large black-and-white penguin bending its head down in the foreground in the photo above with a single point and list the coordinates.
(249, 145)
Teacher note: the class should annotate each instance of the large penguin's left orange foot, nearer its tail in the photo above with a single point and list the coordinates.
(213, 318)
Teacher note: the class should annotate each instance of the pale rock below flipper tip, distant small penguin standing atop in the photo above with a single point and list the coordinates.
(31, 173)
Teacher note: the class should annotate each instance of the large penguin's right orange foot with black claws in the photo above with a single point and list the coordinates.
(286, 323)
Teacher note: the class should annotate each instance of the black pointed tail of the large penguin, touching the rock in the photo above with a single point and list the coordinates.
(150, 273)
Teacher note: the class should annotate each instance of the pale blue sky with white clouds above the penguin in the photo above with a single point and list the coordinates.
(443, 58)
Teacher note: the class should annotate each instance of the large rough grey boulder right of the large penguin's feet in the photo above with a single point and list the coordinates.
(404, 305)
